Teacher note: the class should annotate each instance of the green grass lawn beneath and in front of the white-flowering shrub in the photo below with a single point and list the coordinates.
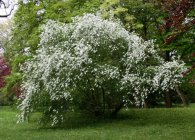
(134, 124)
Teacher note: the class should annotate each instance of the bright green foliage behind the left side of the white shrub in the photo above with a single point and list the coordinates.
(28, 19)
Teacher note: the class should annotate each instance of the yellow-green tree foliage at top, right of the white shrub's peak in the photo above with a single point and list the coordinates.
(140, 16)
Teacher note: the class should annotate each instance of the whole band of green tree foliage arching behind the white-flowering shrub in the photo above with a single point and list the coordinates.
(143, 17)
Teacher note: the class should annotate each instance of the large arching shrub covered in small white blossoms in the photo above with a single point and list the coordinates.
(93, 64)
